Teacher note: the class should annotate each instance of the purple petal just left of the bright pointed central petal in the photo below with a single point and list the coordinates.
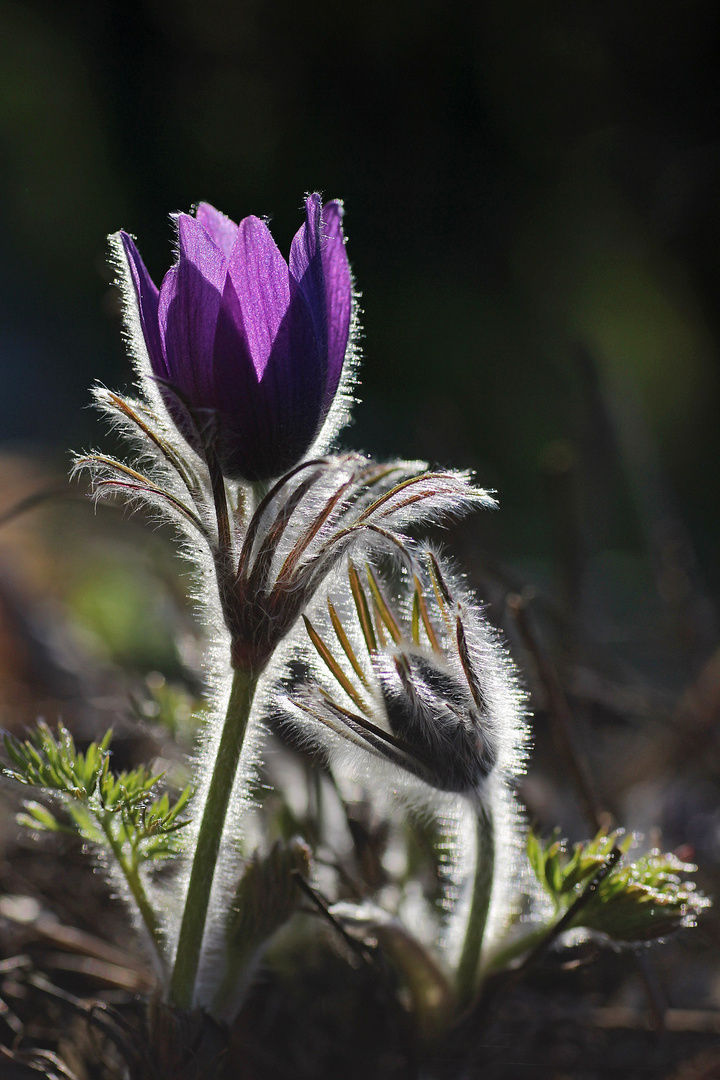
(188, 310)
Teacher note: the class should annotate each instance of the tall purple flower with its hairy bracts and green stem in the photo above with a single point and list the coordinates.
(244, 357)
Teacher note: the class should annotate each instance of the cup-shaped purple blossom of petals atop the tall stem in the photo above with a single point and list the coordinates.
(243, 346)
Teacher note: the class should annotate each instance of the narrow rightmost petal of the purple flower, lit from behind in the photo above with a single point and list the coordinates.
(338, 294)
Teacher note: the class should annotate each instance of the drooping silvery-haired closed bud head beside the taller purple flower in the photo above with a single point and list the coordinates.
(423, 686)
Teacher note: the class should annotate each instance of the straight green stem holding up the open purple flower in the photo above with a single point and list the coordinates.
(195, 915)
